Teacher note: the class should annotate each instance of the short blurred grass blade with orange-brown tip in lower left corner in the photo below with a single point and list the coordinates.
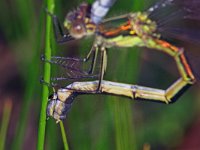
(5, 122)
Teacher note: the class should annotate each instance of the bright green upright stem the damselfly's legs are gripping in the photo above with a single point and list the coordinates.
(46, 77)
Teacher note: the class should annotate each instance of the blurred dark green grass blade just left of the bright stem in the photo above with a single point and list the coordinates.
(31, 75)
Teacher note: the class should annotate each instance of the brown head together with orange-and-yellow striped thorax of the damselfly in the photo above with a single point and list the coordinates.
(123, 31)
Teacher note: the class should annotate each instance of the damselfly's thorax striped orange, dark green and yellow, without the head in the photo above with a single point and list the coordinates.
(133, 29)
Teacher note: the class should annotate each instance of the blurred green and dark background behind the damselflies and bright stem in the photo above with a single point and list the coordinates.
(97, 122)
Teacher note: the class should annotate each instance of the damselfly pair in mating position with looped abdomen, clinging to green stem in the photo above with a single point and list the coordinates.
(141, 29)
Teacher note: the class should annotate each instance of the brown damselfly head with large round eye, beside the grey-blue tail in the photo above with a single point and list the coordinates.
(78, 22)
